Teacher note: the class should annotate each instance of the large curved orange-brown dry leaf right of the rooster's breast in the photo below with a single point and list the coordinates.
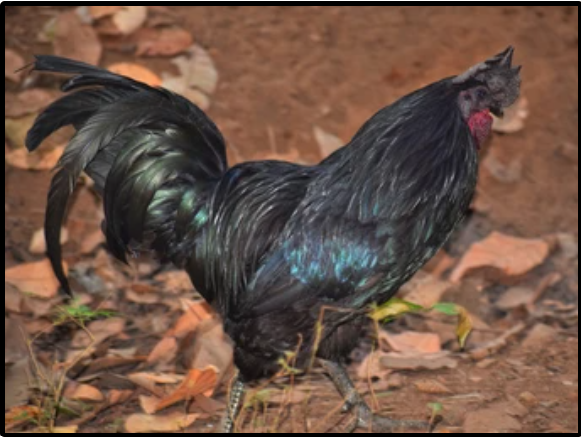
(511, 256)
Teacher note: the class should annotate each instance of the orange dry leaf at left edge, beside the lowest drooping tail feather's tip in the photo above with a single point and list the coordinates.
(36, 279)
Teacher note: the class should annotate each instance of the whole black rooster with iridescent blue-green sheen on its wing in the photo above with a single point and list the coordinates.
(272, 246)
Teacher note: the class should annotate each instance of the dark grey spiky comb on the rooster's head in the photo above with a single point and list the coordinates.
(499, 75)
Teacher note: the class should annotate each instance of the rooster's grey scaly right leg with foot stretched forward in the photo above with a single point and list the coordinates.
(366, 420)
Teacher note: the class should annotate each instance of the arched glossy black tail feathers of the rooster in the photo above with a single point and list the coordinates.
(146, 149)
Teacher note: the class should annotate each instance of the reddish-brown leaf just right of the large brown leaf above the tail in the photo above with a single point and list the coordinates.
(163, 42)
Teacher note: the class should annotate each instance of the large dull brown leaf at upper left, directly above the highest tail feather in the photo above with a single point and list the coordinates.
(76, 40)
